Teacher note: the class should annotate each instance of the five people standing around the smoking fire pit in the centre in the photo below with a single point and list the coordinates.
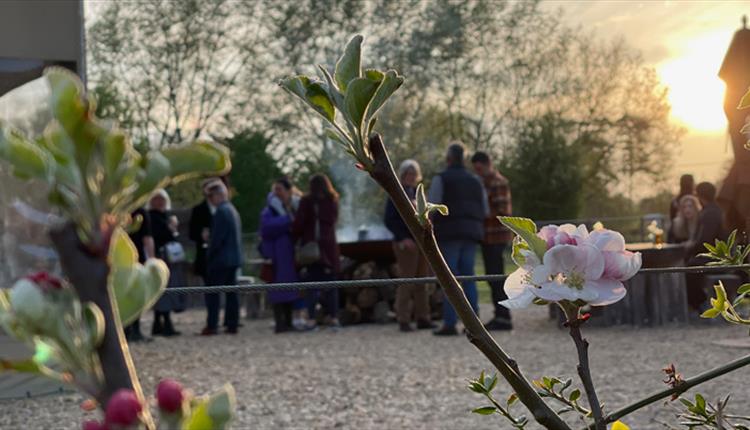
(298, 238)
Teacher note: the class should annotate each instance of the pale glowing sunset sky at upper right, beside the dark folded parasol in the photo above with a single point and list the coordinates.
(685, 41)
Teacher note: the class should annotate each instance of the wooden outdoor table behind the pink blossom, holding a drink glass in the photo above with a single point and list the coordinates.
(653, 298)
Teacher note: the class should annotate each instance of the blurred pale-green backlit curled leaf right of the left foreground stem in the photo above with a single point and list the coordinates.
(136, 286)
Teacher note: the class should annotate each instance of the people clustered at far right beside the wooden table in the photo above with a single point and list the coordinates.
(696, 218)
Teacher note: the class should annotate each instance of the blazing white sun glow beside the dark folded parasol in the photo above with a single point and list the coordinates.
(695, 91)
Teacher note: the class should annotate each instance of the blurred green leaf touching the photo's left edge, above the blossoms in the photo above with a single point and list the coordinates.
(27, 159)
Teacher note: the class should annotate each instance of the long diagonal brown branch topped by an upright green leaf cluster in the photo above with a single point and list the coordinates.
(384, 175)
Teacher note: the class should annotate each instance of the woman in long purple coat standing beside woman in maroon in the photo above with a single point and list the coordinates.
(277, 245)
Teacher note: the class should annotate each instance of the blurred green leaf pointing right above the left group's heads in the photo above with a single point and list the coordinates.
(197, 159)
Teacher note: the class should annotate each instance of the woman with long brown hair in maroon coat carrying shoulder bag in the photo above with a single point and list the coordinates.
(316, 223)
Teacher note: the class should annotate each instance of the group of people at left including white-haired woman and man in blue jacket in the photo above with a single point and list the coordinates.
(216, 229)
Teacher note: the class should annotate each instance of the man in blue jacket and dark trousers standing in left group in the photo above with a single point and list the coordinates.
(223, 260)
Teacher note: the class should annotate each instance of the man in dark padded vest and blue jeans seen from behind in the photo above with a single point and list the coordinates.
(459, 233)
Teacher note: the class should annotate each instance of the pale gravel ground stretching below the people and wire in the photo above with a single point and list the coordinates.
(373, 377)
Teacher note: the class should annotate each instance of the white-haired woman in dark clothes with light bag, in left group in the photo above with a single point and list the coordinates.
(164, 229)
